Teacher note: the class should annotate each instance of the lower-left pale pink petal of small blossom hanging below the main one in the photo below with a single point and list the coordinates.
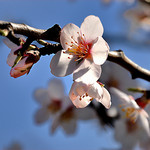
(81, 103)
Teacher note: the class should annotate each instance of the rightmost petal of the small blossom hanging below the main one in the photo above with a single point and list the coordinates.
(106, 99)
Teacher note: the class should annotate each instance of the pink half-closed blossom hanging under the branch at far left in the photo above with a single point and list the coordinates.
(24, 63)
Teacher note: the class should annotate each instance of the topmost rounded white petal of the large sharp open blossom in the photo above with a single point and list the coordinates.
(91, 28)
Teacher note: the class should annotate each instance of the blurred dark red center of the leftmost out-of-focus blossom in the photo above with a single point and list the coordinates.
(54, 106)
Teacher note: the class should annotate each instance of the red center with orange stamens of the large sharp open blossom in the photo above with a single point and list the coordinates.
(80, 49)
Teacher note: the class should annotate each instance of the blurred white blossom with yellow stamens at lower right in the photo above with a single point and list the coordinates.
(132, 127)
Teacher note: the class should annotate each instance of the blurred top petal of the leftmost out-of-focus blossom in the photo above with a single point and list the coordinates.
(56, 89)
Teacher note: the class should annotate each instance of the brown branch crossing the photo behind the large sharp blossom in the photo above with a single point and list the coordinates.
(53, 34)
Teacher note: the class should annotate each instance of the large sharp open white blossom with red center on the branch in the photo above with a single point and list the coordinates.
(84, 50)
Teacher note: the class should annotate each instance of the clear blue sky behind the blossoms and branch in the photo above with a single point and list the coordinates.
(17, 105)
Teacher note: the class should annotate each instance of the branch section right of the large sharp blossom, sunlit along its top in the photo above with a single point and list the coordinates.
(136, 71)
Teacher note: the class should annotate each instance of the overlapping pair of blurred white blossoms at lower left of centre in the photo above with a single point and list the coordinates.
(58, 107)
